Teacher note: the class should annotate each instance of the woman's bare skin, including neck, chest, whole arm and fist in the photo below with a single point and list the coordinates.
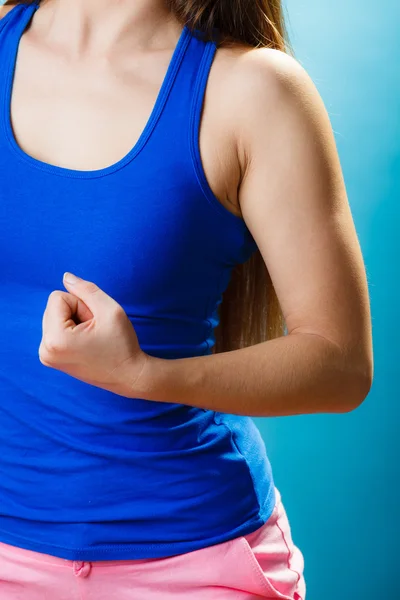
(269, 155)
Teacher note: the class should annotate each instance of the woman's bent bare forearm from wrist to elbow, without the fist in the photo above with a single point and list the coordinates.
(296, 374)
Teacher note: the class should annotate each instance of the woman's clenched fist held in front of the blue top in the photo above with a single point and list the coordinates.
(88, 335)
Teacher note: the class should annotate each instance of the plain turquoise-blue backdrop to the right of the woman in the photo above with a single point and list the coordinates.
(338, 473)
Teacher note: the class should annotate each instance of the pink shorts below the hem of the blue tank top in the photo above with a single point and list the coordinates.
(262, 564)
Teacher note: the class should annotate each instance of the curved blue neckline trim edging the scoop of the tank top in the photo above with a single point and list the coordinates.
(172, 70)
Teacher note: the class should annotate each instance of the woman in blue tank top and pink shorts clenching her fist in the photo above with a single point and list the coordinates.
(131, 467)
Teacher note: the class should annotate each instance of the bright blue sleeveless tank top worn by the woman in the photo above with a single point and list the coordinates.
(86, 474)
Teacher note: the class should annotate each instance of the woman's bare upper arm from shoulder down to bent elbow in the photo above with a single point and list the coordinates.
(293, 199)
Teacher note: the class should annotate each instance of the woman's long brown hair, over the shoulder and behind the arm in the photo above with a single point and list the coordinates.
(250, 312)
